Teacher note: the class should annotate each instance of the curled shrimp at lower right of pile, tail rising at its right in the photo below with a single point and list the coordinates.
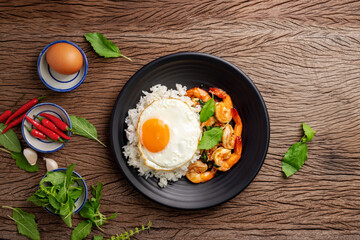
(223, 157)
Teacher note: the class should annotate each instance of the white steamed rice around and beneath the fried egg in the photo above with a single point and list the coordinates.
(131, 150)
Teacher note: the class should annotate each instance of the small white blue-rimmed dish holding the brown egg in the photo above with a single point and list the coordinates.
(56, 81)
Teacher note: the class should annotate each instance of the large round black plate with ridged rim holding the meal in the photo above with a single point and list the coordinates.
(197, 70)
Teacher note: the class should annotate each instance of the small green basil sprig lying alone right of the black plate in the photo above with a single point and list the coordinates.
(297, 154)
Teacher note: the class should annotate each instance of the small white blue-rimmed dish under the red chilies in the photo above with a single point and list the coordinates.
(40, 145)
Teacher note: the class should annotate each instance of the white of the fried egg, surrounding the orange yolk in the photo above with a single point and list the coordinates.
(185, 132)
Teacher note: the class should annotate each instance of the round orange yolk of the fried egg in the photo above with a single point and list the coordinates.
(155, 135)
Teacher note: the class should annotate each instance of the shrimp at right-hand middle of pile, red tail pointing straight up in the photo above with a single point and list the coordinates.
(229, 134)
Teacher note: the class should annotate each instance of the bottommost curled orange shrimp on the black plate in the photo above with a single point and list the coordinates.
(197, 172)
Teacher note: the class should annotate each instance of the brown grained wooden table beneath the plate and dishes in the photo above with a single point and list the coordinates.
(302, 55)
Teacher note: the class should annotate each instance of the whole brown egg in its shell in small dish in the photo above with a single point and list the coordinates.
(64, 58)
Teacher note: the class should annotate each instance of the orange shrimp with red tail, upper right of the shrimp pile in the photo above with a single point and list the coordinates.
(222, 109)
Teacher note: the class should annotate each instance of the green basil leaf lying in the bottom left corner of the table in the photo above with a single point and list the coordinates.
(25, 223)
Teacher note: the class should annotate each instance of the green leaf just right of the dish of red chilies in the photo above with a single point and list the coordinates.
(80, 126)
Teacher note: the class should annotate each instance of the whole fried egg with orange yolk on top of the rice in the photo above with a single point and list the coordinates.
(169, 133)
